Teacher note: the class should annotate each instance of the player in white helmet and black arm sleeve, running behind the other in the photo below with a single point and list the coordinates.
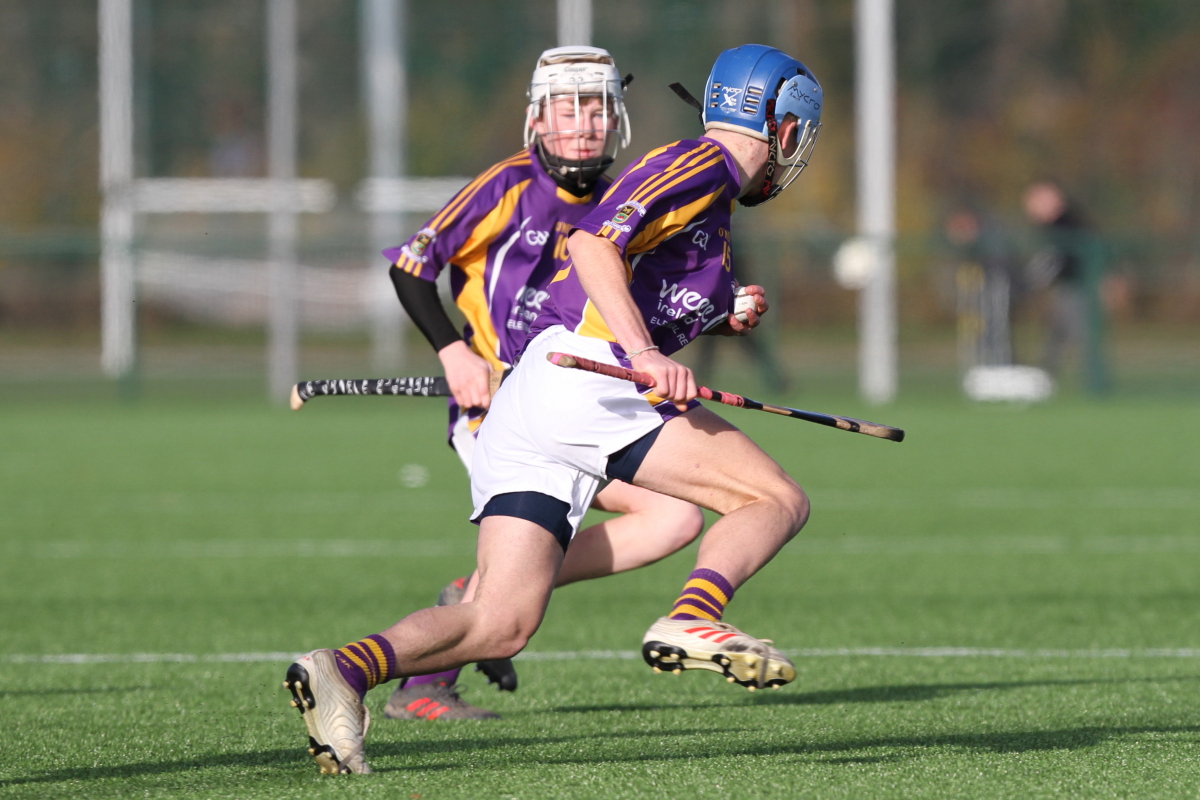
(505, 238)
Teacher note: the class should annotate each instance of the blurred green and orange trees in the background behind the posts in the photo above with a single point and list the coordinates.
(1102, 95)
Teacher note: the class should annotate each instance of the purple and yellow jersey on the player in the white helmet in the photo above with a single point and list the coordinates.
(505, 238)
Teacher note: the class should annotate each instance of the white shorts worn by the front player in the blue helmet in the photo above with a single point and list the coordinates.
(551, 430)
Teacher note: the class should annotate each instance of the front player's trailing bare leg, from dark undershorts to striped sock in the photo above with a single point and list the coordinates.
(518, 563)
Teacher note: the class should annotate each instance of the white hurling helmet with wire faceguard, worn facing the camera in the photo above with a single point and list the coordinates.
(571, 148)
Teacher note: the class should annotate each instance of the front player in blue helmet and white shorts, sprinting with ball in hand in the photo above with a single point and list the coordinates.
(651, 268)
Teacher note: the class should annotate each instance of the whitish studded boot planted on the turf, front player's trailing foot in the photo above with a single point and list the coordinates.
(335, 717)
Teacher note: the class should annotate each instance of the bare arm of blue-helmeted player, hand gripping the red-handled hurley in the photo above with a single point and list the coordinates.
(603, 276)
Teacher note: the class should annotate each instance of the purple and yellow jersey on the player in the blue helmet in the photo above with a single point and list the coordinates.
(669, 213)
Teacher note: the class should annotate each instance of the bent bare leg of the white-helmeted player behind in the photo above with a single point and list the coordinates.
(653, 526)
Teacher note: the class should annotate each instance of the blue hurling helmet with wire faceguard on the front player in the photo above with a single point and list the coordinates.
(752, 91)
